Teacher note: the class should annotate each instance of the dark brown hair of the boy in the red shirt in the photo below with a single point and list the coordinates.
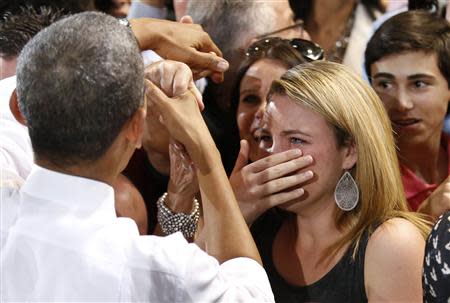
(416, 31)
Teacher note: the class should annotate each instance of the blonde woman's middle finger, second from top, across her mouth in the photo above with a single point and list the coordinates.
(283, 169)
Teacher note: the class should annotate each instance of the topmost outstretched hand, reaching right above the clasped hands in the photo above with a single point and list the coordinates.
(184, 42)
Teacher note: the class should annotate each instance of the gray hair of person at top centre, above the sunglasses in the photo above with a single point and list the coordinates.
(231, 22)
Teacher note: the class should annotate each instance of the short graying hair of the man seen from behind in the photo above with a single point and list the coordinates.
(78, 82)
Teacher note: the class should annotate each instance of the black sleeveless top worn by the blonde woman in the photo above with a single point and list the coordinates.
(343, 283)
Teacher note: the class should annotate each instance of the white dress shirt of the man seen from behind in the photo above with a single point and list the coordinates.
(67, 244)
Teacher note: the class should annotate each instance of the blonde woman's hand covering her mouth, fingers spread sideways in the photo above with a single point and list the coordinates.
(267, 182)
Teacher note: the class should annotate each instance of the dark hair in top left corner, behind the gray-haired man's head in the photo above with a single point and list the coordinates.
(16, 29)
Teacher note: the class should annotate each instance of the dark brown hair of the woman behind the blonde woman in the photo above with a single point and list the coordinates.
(281, 51)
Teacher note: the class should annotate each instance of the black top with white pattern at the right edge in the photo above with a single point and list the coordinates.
(436, 271)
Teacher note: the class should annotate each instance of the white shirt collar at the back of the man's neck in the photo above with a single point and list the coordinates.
(69, 190)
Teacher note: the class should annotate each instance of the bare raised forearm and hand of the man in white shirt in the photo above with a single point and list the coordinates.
(226, 233)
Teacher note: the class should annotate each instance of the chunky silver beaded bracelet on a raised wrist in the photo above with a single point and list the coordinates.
(171, 222)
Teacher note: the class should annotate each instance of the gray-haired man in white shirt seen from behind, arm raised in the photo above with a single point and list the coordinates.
(80, 87)
